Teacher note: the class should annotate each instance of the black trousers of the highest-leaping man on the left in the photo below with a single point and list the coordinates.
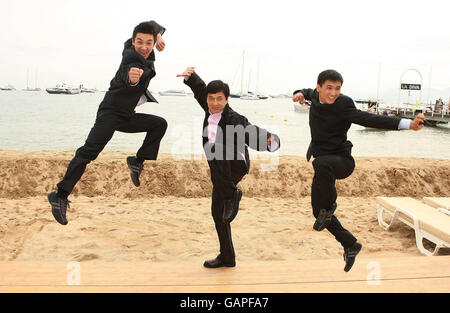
(101, 133)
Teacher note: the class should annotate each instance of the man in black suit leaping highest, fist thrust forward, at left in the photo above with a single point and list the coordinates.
(117, 112)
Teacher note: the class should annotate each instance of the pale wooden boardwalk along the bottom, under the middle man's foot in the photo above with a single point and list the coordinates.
(402, 274)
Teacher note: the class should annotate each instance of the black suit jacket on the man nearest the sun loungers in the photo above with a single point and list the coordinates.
(329, 123)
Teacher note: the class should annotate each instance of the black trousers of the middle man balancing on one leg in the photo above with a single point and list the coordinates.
(225, 175)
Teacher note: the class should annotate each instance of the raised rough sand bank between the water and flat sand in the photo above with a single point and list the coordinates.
(29, 174)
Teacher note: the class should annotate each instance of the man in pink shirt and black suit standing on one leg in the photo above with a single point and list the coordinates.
(226, 136)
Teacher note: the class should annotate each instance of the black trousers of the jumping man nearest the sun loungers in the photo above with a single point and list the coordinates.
(327, 169)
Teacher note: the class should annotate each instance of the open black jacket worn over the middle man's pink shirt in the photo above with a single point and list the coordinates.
(253, 136)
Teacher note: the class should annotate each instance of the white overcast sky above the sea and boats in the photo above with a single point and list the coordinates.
(81, 42)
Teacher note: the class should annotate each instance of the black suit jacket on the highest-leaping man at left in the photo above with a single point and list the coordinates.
(122, 98)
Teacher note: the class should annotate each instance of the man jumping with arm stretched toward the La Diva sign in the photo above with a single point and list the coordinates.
(330, 117)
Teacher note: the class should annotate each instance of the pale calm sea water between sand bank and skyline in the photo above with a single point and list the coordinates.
(40, 121)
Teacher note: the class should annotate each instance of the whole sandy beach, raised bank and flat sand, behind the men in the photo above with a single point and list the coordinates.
(168, 217)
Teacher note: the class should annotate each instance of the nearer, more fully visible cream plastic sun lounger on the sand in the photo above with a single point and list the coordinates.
(426, 221)
